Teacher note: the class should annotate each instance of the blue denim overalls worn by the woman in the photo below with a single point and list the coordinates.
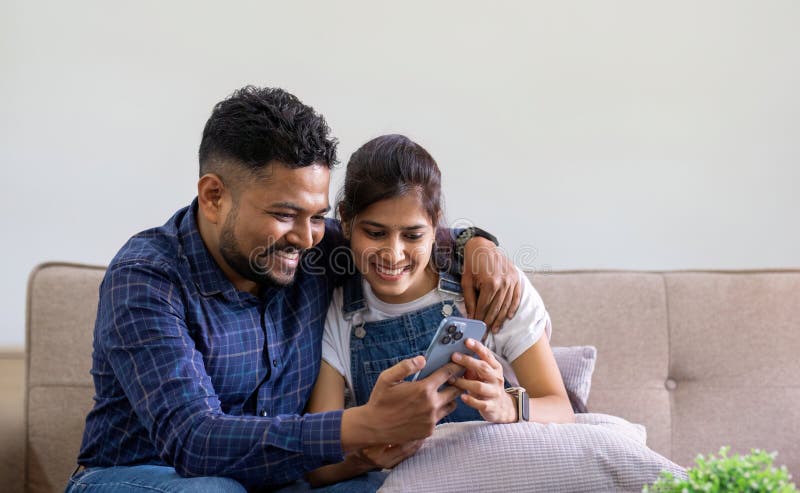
(376, 346)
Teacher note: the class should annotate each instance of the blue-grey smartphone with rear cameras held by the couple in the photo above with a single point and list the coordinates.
(450, 338)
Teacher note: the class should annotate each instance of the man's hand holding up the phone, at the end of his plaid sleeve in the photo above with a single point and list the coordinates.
(399, 411)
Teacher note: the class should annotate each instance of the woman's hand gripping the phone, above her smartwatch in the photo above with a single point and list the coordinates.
(483, 383)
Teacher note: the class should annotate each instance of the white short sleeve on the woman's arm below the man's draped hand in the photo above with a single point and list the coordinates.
(527, 326)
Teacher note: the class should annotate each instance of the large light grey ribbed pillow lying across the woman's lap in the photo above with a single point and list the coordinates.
(609, 452)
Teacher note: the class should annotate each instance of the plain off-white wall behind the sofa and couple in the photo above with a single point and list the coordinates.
(625, 135)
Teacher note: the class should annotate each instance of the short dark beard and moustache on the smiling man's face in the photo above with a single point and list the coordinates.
(257, 266)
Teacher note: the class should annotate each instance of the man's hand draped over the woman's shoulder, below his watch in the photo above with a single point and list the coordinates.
(495, 279)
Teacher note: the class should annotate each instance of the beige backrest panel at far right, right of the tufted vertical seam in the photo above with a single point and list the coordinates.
(735, 341)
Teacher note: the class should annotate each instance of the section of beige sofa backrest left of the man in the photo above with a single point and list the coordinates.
(62, 304)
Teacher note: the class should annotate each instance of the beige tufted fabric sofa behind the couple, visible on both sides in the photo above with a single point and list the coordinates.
(702, 359)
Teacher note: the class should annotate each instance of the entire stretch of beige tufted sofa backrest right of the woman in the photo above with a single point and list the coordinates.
(702, 359)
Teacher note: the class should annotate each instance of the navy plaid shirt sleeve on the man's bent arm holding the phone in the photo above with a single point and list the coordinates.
(142, 332)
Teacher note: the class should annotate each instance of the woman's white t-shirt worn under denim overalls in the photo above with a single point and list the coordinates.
(513, 339)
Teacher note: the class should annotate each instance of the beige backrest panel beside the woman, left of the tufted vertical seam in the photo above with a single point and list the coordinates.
(624, 315)
